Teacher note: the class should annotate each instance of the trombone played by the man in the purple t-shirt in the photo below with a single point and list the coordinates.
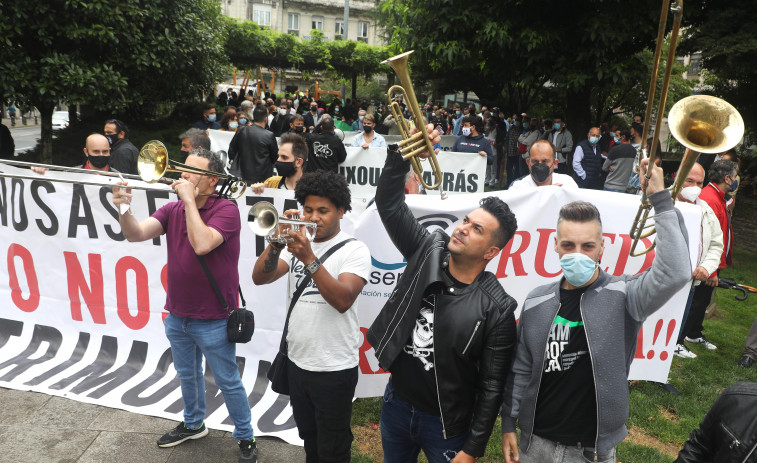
(152, 164)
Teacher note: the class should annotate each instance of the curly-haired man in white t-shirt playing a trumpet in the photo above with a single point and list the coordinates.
(323, 336)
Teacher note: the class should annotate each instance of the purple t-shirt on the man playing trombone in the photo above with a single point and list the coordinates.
(190, 293)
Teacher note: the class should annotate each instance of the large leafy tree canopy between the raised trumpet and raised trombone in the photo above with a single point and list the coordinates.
(507, 51)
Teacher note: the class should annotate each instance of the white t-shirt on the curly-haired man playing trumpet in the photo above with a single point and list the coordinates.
(319, 337)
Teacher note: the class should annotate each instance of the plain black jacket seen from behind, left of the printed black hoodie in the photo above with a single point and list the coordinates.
(253, 151)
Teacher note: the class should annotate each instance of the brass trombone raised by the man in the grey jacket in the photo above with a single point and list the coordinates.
(702, 124)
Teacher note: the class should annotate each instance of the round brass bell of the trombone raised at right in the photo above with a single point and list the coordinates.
(705, 124)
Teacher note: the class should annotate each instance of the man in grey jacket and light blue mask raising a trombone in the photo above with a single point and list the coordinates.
(577, 338)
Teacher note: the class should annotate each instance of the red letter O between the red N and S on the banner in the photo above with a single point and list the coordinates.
(138, 321)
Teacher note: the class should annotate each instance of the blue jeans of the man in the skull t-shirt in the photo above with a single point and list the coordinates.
(405, 430)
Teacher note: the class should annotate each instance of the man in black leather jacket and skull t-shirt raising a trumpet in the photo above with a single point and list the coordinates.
(447, 332)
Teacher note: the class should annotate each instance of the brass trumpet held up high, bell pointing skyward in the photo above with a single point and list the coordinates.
(412, 146)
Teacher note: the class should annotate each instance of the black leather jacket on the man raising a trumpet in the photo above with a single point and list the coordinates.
(475, 326)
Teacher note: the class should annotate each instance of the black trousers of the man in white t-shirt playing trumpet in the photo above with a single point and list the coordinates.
(322, 408)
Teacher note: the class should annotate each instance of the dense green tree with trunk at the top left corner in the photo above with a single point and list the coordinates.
(127, 55)
